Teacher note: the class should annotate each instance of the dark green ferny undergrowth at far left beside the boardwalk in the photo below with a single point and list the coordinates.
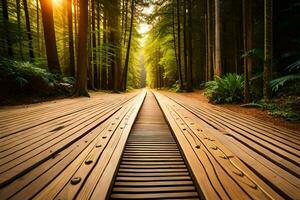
(25, 77)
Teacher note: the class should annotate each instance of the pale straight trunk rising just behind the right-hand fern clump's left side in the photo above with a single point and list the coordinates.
(218, 59)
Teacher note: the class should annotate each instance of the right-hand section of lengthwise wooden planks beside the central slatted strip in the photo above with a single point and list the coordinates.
(233, 156)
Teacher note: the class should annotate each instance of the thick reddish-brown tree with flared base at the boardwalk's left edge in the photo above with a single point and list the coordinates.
(81, 83)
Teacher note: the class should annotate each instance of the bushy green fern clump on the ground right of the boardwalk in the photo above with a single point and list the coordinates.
(228, 89)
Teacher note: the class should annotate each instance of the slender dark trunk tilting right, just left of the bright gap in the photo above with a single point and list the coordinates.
(128, 47)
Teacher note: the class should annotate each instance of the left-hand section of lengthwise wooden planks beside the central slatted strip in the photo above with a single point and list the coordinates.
(62, 150)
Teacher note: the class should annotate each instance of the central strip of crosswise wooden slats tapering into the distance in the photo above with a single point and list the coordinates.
(152, 165)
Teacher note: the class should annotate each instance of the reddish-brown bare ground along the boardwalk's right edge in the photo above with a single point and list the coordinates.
(254, 112)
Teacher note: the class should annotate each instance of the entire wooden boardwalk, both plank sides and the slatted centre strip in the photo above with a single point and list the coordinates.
(103, 147)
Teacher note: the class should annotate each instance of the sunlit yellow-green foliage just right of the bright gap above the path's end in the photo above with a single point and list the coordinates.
(159, 47)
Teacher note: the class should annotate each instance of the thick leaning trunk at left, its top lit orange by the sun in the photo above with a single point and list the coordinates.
(49, 35)
